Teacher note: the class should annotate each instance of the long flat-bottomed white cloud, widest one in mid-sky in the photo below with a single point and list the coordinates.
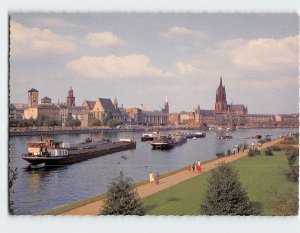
(115, 66)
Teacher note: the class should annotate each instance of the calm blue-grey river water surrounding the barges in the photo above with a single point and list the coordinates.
(39, 190)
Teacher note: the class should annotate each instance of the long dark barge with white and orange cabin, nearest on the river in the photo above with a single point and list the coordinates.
(52, 153)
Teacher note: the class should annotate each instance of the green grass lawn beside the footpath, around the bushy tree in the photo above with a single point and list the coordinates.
(258, 175)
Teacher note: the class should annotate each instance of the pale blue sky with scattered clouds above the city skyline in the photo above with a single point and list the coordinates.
(142, 58)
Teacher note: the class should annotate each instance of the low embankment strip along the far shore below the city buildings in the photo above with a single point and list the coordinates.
(38, 132)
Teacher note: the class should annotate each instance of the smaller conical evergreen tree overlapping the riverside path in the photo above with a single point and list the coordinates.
(122, 199)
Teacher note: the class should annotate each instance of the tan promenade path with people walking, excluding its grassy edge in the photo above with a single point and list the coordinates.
(150, 189)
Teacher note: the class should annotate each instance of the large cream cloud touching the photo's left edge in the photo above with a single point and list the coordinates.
(26, 41)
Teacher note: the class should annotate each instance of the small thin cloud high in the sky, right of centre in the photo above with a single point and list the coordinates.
(177, 31)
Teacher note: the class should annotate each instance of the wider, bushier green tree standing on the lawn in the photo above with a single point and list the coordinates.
(225, 195)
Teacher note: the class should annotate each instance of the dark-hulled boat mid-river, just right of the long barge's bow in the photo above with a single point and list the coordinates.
(168, 142)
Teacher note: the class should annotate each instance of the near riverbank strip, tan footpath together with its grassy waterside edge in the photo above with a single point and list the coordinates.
(92, 205)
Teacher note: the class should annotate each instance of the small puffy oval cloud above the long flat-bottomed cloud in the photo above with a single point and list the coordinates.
(104, 39)
